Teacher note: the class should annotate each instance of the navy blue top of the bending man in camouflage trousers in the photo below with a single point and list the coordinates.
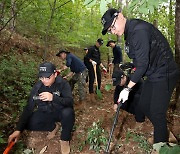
(76, 65)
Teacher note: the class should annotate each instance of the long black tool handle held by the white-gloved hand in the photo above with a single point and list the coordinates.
(113, 127)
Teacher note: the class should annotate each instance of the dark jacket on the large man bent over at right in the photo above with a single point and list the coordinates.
(150, 51)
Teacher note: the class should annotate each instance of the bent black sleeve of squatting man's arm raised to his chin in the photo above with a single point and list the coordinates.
(65, 98)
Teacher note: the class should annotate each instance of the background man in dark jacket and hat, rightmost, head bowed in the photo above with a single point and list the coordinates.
(117, 53)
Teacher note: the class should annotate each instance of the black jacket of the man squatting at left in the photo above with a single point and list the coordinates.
(62, 97)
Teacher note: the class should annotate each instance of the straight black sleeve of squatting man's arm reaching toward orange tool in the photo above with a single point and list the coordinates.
(28, 109)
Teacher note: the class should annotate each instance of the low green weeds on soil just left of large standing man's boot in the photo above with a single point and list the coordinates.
(142, 142)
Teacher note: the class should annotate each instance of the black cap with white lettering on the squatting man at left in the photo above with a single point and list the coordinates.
(46, 69)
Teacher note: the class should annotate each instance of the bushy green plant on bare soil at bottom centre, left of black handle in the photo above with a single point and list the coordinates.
(96, 137)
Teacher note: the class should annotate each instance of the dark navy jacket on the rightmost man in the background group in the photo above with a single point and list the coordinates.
(117, 53)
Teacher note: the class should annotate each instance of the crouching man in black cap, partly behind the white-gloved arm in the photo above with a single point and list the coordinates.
(120, 80)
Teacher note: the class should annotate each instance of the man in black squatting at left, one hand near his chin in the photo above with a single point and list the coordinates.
(50, 101)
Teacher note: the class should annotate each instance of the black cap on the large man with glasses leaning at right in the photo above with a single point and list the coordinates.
(108, 18)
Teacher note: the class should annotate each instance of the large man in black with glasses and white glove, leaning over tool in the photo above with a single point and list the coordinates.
(153, 58)
